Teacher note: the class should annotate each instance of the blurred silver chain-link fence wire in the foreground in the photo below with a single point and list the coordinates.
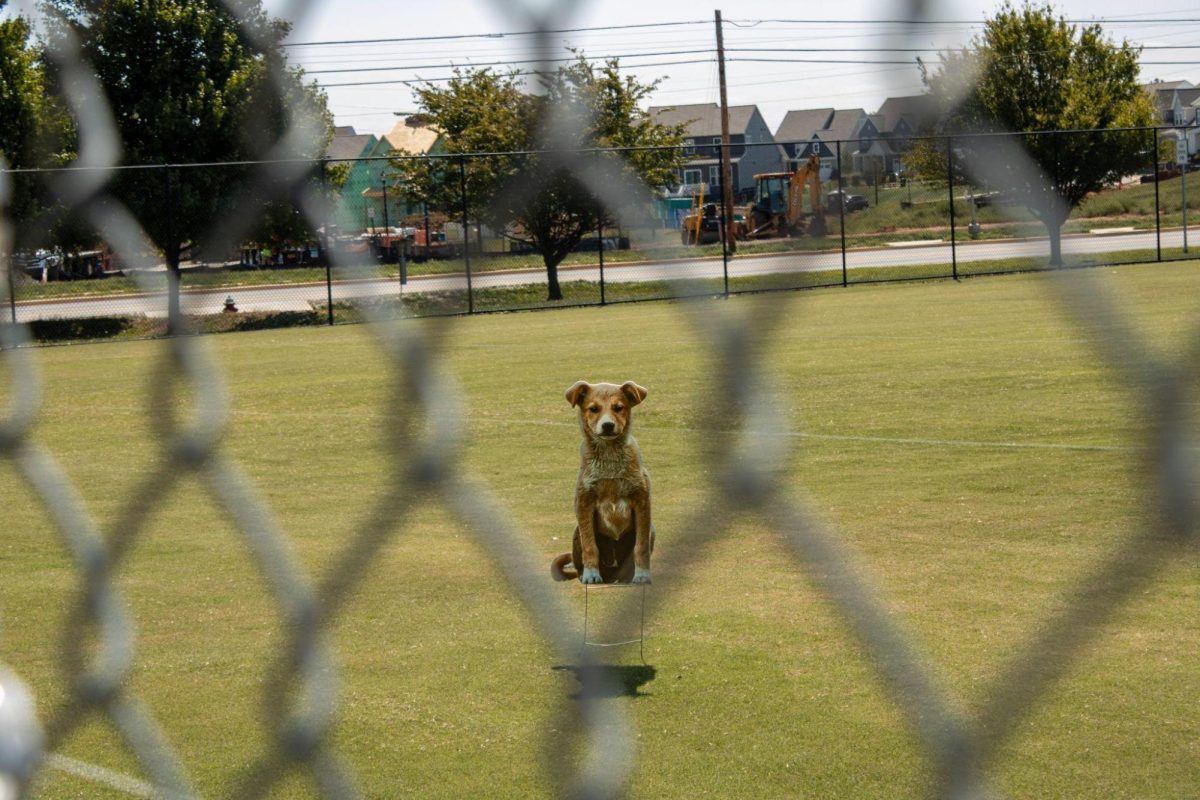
(745, 459)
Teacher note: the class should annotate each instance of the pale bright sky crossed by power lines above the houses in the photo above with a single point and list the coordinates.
(779, 56)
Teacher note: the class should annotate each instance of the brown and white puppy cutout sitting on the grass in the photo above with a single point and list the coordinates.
(613, 497)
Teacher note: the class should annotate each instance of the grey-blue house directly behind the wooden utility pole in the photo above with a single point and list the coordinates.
(753, 148)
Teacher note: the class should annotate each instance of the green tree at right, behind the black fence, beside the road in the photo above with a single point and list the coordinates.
(1031, 73)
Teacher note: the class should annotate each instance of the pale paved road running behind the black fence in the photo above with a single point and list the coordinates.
(302, 298)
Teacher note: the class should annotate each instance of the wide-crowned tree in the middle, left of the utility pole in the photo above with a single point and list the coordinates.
(533, 189)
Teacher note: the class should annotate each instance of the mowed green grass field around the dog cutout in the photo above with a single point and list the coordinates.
(965, 443)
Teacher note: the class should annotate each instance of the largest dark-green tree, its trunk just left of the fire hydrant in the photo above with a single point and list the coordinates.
(190, 82)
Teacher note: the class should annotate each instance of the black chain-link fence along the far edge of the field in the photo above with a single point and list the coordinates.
(886, 210)
